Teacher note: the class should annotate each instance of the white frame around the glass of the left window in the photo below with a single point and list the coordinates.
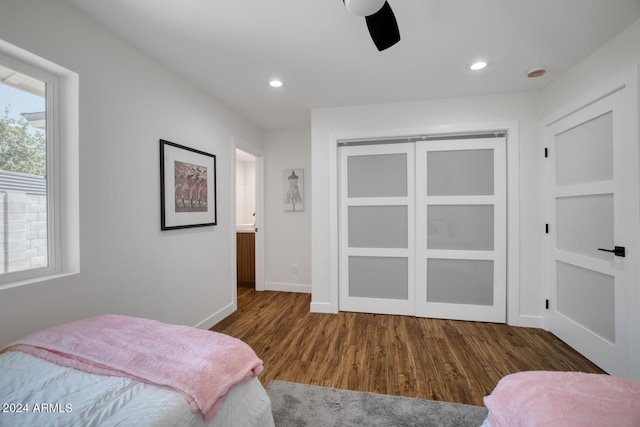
(61, 132)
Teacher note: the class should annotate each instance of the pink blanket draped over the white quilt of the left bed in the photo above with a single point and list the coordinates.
(201, 365)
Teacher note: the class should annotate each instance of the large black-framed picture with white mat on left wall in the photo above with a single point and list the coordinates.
(187, 187)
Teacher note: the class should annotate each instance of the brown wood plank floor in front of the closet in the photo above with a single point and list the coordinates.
(453, 361)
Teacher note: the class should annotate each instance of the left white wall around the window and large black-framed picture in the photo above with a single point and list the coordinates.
(127, 103)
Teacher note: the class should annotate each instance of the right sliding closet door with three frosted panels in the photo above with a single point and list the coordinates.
(461, 229)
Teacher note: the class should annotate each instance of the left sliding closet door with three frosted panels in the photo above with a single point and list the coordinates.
(377, 229)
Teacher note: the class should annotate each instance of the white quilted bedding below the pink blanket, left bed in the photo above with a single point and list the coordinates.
(34, 392)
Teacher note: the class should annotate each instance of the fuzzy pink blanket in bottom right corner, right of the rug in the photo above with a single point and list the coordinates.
(567, 399)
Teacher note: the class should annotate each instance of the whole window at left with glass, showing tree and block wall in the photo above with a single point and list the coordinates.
(36, 214)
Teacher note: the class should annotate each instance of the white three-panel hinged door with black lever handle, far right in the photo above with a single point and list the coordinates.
(587, 176)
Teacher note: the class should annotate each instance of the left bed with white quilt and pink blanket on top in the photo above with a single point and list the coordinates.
(114, 370)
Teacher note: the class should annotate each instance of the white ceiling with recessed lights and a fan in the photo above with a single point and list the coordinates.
(232, 48)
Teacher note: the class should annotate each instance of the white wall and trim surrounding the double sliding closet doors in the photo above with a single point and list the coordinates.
(438, 116)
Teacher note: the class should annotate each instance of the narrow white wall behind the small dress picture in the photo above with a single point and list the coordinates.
(287, 234)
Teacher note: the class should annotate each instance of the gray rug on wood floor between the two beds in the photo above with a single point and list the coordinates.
(296, 404)
